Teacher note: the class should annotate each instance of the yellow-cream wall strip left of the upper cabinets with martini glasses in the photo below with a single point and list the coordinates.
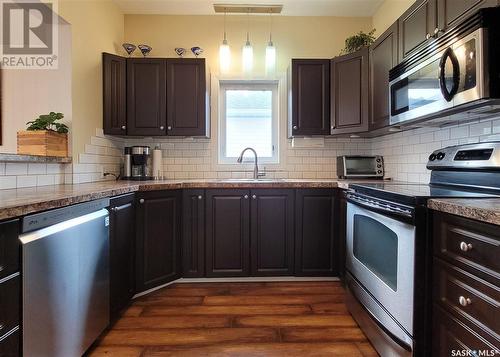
(97, 26)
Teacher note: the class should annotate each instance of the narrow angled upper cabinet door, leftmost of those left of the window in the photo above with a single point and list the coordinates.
(114, 76)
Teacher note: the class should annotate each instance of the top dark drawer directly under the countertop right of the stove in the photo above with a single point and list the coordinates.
(468, 244)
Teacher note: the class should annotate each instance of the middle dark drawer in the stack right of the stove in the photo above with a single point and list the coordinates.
(461, 293)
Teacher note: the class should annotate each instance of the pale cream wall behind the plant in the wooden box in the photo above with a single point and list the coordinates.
(27, 93)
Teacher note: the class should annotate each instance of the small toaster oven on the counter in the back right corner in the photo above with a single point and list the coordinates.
(350, 166)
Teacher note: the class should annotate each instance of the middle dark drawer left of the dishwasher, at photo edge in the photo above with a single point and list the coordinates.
(9, 304)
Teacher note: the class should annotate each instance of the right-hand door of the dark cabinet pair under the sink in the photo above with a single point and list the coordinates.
(272, 232)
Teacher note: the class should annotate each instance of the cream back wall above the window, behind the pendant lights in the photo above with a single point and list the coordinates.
(294, 37)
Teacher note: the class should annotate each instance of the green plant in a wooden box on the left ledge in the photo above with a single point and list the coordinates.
(44, 136)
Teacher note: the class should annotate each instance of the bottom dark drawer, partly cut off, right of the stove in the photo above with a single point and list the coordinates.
(452, 337)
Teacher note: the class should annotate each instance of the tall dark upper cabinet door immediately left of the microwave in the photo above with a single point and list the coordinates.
(383, 57)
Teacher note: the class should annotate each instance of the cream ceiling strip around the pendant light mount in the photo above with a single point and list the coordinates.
(290, 7)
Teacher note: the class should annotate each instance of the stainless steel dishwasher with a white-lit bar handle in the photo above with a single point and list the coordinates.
(65, 259)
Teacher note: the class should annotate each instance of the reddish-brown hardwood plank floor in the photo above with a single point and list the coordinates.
(238, 319)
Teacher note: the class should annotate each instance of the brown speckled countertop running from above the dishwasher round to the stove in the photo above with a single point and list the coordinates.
(20, 202)
